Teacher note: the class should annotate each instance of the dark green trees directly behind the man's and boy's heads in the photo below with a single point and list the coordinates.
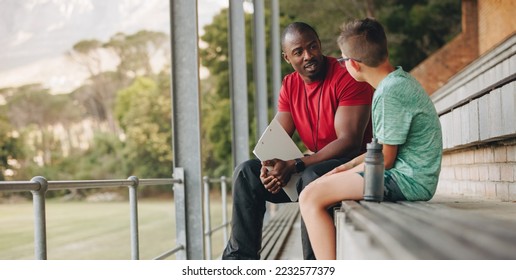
(414, 28)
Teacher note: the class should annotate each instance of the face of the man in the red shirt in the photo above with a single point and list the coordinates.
(303, 52)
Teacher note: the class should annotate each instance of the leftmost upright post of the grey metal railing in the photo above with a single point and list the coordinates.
(40, 228)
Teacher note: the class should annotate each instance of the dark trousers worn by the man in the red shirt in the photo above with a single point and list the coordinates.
(249, 200)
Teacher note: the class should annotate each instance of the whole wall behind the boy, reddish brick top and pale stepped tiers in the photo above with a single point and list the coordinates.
(472, 82)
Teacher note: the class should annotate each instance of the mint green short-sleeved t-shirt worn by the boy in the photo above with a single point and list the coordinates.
(404, 115)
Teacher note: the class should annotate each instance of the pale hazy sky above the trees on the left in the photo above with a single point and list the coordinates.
(35, 34)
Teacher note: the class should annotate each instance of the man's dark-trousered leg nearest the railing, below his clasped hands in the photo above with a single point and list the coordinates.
(249, 197)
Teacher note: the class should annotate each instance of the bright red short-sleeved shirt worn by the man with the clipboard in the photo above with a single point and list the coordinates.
(313, 106)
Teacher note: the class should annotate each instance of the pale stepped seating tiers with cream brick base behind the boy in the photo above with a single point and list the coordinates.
(477, 110)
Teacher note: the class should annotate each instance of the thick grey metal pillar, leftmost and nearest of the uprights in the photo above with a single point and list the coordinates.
(186, 122)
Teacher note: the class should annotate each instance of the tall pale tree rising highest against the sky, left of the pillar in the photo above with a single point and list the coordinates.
(133, 55)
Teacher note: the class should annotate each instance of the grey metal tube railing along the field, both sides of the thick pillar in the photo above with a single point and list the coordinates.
(38, 186)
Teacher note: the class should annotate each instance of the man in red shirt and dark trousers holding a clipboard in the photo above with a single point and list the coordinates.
(329, 110)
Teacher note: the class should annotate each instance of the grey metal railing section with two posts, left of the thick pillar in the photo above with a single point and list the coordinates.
(39, 186)
